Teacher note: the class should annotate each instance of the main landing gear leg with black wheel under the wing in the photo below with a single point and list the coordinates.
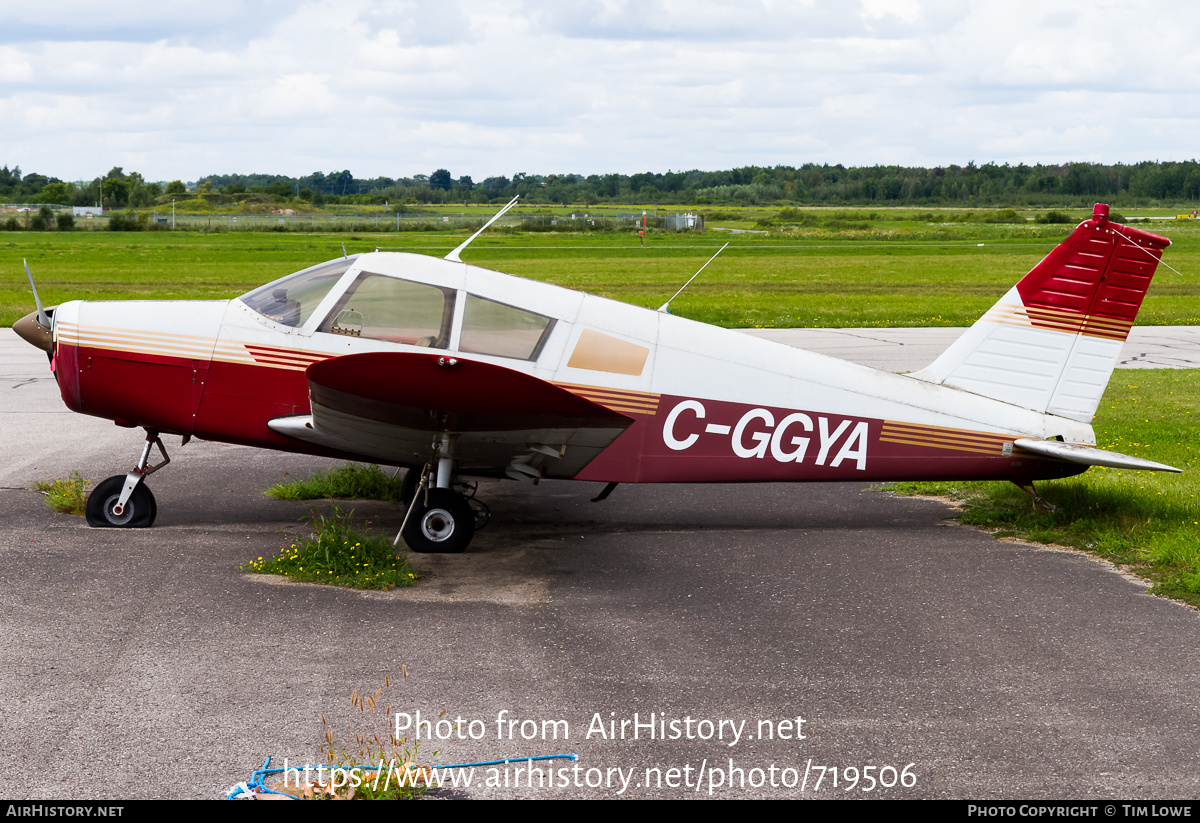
(440, 520)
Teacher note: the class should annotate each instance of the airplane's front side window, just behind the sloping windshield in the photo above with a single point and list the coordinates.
(394, 310)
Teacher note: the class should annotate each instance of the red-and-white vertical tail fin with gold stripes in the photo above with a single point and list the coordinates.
(1051, 345)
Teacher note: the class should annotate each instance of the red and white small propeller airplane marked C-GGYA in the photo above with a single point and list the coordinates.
(461, 375)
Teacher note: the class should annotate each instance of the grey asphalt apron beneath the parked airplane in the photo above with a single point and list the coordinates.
(142, 664)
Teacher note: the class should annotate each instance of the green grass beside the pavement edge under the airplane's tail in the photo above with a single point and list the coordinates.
(1145, 521)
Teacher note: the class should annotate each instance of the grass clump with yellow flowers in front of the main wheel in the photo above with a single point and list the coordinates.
(337, 554)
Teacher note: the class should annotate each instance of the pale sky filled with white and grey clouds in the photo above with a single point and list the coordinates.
(398, 88)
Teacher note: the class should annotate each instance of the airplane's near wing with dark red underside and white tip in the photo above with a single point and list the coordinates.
(395, 406)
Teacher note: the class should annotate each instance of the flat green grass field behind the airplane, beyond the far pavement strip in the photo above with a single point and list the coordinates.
(898, 275)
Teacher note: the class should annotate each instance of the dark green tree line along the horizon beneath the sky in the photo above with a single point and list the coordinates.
(1070, 184)
